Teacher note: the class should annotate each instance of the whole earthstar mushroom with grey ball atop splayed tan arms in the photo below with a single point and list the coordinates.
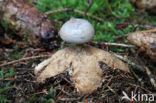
(81, 61)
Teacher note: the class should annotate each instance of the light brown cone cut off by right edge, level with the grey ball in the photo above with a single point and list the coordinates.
(146, 40)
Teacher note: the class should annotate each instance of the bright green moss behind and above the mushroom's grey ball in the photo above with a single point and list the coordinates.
(101, 8)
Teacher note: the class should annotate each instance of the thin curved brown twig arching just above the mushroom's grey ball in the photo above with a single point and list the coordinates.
(76, 11)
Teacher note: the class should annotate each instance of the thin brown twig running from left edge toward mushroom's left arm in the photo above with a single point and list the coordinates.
(23, 59)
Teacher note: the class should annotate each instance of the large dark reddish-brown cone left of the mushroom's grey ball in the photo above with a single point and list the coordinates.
(24, 18)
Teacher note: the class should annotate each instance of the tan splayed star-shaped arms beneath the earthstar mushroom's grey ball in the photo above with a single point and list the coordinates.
(82, 63)
